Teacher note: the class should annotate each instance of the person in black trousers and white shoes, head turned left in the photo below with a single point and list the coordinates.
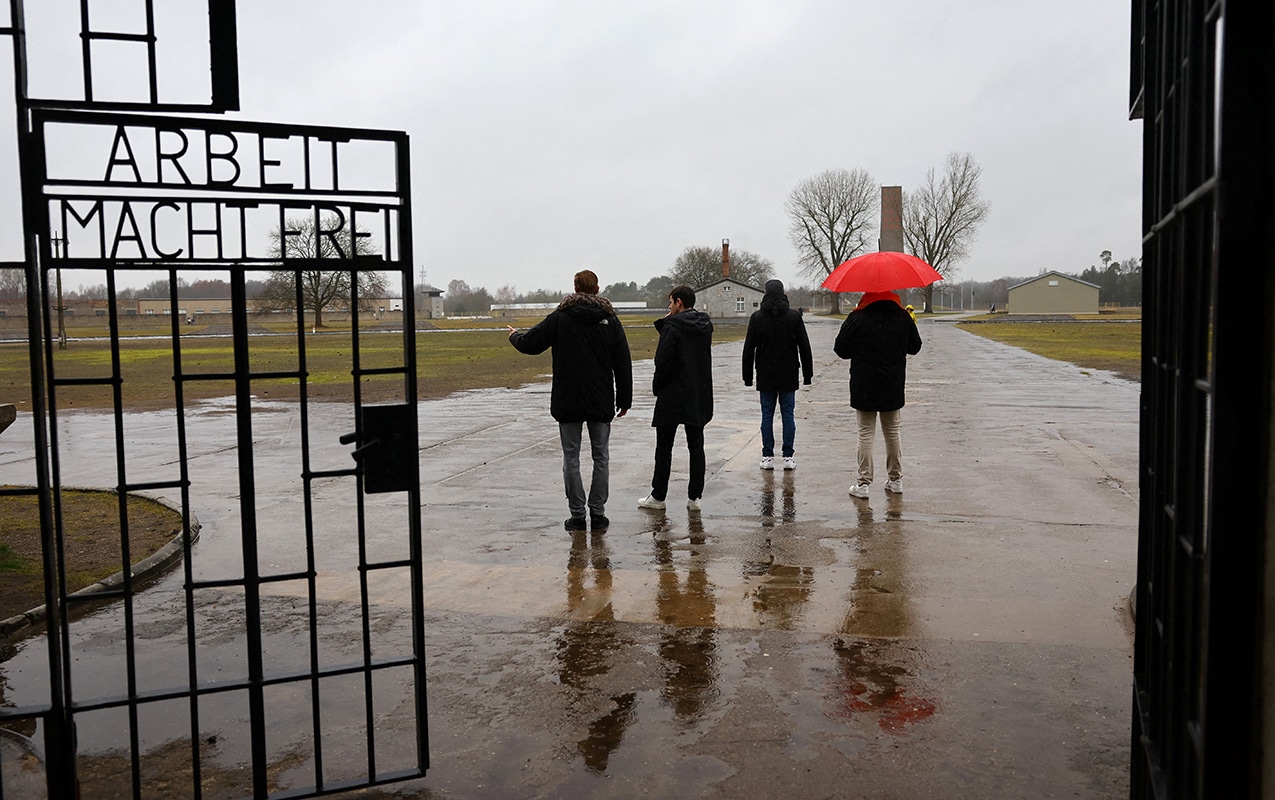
(684, 394)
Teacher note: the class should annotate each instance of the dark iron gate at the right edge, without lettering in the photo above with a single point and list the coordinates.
(1204, 85)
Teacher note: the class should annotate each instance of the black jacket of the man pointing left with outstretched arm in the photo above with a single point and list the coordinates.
(592, 369)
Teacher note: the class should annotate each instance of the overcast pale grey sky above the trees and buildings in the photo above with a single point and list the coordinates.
(554, 136)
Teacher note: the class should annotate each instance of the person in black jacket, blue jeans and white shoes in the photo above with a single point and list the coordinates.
(778, 349)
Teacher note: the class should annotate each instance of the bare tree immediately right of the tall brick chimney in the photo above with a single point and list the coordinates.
(943, 216)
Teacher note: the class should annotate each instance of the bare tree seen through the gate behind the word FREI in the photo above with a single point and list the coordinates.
(321, 289)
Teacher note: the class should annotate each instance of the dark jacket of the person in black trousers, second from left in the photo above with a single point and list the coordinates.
(684, 369)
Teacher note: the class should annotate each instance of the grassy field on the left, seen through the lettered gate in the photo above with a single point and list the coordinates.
(471, 355)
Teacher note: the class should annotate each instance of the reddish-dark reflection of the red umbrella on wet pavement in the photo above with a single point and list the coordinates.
(870, 682)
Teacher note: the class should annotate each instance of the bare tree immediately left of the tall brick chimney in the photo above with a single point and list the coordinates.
(833, 218)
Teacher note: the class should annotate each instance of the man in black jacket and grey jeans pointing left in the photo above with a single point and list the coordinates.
(592, 383)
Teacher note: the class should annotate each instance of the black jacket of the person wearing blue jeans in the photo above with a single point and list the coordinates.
(778, 345)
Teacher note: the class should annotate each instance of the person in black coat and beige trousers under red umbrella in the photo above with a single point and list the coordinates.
(878, 337)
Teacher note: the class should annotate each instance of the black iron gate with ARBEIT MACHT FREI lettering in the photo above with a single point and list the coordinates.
(286, 656)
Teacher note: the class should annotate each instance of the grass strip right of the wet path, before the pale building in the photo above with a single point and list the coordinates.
(1114, 346)
